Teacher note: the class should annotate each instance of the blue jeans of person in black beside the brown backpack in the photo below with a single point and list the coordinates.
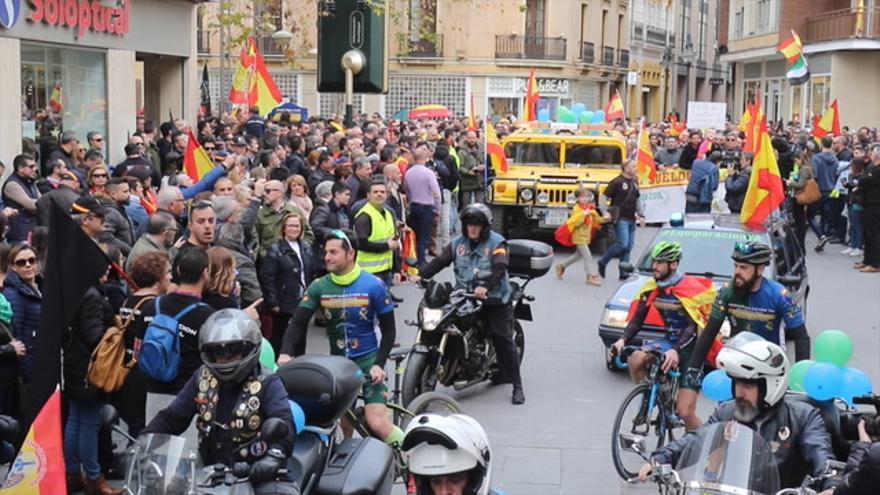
(81, 438)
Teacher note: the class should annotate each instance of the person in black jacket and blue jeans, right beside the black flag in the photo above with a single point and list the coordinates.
(93, 317)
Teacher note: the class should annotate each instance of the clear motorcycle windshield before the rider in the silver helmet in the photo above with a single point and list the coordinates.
(161, 464)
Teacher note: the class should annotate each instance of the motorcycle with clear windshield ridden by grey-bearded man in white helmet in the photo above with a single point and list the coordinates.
(725, 458)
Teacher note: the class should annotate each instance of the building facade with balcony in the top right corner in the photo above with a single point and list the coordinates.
(842, 46)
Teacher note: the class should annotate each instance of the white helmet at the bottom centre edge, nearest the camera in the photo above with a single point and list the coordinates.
(438, 445)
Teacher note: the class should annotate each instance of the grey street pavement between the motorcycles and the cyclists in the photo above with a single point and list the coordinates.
(559, 441)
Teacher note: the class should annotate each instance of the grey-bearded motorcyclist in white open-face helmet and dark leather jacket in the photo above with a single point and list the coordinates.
(794, 429)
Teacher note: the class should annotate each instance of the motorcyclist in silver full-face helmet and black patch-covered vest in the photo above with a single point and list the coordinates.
(231, 396)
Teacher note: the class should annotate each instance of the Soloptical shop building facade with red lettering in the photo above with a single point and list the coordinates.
(94, 66)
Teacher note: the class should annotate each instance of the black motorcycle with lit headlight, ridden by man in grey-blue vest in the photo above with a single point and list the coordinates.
(453, 347)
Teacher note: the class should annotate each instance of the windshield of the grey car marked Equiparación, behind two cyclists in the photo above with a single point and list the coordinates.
(705, 251)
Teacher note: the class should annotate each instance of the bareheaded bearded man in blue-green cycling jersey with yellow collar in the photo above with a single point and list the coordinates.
(360, 326)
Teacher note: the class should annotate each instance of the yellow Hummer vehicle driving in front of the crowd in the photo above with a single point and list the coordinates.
(546, 166)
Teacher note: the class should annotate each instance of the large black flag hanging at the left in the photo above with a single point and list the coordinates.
(73, 264)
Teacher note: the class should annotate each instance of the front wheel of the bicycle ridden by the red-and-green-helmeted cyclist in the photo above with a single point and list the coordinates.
(628, 422)
